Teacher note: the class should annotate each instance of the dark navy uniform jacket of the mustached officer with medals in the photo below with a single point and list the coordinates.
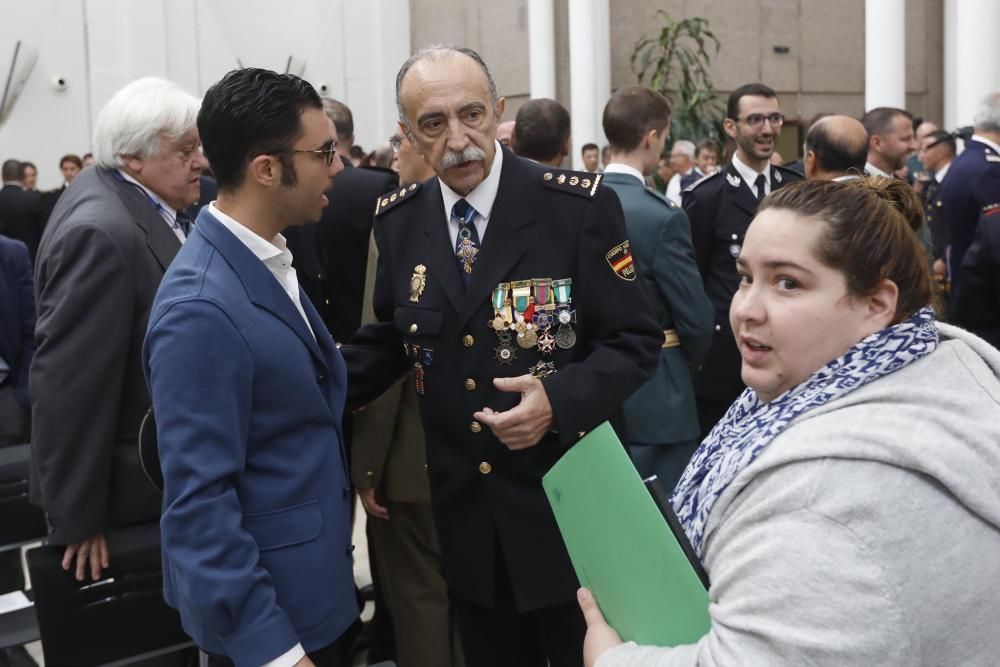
(545, 223)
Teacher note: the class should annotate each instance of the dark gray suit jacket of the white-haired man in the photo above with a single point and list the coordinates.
(100, 261)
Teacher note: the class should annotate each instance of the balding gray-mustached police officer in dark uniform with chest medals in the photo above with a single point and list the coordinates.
(513, 288)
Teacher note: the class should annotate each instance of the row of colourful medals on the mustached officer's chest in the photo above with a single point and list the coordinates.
(525, 312)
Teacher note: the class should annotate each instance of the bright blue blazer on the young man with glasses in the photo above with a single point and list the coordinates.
(256, 503)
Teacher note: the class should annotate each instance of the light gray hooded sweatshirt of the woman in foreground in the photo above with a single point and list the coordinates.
(866, 533)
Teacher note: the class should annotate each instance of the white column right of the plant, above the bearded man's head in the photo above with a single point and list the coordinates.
(885, 54)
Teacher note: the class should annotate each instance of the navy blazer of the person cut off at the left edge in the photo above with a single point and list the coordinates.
(17, 315)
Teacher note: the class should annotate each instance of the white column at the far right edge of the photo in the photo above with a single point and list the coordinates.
(971, 57)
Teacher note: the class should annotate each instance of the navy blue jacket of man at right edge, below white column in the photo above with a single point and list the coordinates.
(973, 183)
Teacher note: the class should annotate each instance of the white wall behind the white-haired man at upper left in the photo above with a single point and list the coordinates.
(97, 46)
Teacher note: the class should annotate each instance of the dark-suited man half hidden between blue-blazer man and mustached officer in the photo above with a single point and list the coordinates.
(334, 265)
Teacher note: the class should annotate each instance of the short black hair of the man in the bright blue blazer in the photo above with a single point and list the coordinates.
(251, 112)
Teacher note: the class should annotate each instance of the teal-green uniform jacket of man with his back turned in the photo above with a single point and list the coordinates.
(663, 410)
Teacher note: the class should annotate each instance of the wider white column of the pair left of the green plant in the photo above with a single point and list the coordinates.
(590, 71)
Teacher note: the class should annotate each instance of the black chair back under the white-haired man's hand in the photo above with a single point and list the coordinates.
(118, 618)
